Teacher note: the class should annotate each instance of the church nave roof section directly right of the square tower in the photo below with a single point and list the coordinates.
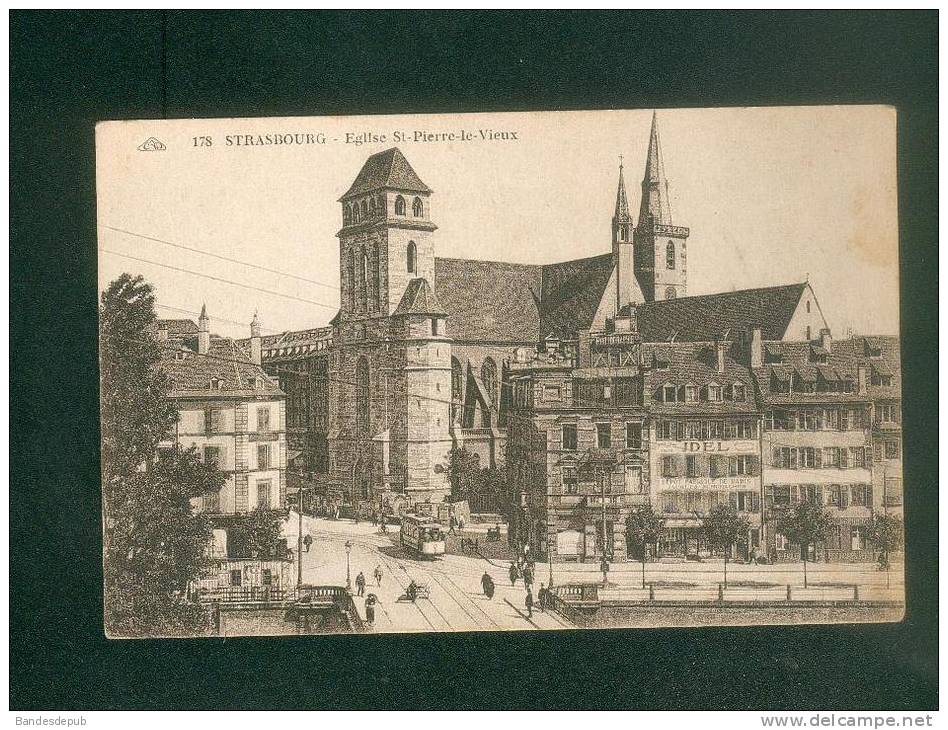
(489, 300)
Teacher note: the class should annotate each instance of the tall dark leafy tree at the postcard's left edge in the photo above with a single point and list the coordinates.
(154, 545)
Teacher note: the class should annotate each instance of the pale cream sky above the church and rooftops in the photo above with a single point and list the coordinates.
(771, 195)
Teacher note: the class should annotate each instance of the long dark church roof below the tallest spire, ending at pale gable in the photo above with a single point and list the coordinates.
(705, 318)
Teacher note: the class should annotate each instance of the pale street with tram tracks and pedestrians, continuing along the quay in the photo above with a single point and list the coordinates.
(457, 602)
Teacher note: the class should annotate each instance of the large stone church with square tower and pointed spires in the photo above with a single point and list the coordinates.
(421, 349)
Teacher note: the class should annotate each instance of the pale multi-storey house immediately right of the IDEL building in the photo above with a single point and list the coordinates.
(816, 440)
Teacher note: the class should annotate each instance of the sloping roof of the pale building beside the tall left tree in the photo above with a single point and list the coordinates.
(191, 373)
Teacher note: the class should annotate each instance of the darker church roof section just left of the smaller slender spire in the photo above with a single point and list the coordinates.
(571, 294)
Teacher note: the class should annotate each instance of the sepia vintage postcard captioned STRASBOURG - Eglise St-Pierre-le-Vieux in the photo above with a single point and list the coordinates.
(508, 371)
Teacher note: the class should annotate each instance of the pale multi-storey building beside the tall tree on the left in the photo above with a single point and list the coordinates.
(230, 410)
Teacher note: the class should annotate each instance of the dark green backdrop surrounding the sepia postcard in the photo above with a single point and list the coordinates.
(70, 69)
